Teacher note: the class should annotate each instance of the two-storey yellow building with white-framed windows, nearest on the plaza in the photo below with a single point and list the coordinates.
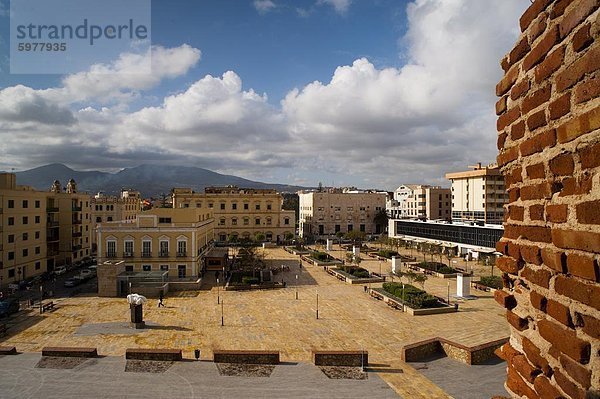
(162, 243)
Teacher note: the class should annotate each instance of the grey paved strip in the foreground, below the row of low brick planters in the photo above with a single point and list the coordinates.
(105, 378)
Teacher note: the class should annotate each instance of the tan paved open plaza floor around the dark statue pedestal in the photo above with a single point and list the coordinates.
(272, 319)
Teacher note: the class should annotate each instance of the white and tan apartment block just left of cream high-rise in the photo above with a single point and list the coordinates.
(413, 201)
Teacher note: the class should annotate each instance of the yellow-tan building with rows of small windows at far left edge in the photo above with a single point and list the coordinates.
(23, 252)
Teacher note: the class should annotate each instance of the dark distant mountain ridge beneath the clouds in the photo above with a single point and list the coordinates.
(151, 180)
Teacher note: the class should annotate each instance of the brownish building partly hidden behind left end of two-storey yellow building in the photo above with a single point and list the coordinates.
(110, 208)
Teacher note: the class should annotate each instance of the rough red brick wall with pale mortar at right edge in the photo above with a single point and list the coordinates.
(549, 141)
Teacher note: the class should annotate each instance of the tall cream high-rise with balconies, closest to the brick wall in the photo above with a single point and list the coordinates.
(478, 195)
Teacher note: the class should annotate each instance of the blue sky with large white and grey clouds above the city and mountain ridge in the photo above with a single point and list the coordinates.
(372, 93)
